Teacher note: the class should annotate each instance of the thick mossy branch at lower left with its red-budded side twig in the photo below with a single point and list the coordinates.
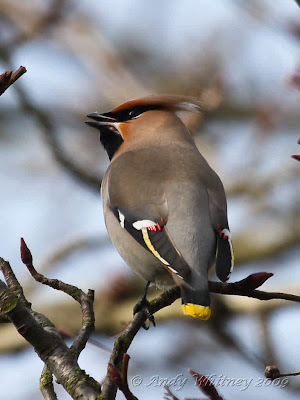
(42, 335)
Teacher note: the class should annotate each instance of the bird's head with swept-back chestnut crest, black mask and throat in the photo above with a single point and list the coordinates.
(137, 119)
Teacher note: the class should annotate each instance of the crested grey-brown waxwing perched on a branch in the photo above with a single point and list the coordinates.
(165, 208)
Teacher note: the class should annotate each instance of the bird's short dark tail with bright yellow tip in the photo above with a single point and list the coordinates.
(196, 299)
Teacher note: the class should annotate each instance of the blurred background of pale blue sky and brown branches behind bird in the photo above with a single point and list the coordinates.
(242, 59)
